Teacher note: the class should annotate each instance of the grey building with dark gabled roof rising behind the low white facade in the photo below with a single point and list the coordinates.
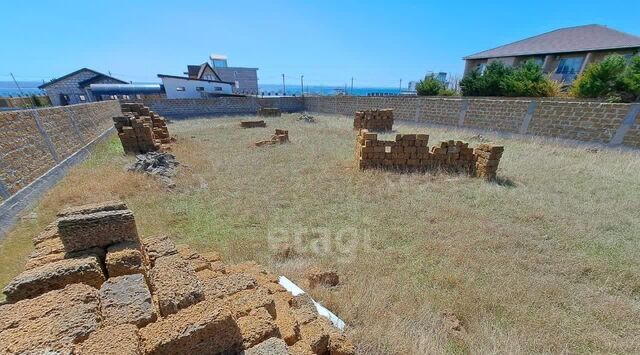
(245, 80)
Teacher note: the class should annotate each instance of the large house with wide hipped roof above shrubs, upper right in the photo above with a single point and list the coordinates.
(564, 53)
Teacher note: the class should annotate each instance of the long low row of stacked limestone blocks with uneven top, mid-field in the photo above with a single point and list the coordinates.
(411, 152)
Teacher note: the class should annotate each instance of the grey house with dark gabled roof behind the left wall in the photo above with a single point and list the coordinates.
(75, 88)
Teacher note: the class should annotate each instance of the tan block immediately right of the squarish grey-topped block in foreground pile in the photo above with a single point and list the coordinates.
(175, 284)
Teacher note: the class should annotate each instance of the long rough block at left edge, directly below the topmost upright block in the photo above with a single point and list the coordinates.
(54, 276)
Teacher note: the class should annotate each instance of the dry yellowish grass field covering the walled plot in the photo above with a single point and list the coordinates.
(546, 261)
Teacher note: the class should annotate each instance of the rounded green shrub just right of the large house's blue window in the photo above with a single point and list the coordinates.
(603, 80)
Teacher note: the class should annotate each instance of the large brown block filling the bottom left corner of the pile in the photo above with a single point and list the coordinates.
(53, 321)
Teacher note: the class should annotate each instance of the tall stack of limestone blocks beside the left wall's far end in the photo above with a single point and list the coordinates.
(141, 130)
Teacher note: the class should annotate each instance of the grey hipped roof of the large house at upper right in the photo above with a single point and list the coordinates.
(570, 39)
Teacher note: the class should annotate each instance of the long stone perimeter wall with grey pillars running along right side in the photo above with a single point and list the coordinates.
(596, 122)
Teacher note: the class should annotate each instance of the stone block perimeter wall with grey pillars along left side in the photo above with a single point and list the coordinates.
(34, 141)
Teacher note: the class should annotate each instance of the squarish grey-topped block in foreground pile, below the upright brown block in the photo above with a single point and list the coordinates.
(126, 300)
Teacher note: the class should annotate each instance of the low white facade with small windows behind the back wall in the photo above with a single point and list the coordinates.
(185, 88)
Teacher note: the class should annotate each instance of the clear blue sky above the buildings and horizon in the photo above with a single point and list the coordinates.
(376, 42)
